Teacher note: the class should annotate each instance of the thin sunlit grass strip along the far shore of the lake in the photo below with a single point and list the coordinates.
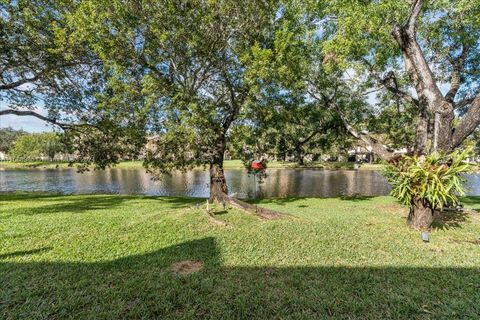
(228, 164)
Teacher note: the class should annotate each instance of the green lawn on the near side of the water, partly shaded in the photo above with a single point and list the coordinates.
(104, 256)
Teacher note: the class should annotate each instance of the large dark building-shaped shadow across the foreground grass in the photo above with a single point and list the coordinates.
(144, 286)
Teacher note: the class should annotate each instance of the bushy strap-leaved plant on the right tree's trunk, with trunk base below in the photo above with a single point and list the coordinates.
(428, 183)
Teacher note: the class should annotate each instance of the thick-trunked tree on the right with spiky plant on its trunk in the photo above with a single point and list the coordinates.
(420, 47)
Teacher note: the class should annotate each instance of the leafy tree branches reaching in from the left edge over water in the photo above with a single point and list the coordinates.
(62, 82)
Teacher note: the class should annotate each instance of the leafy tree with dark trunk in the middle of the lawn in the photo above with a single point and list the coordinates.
(192, 58)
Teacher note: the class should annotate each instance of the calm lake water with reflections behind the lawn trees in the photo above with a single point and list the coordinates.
(279, 182)
